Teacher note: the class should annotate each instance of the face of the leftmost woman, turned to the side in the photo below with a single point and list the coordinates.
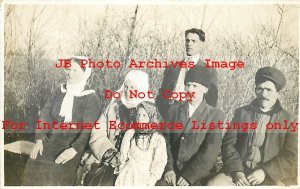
(74, 73)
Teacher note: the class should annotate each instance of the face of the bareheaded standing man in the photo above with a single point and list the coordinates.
(193, 44)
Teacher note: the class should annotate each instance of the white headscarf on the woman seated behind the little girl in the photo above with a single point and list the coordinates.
(141, 80)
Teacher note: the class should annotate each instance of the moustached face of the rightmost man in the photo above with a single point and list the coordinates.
(267, 95)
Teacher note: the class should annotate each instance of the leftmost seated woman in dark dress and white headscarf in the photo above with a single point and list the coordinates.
(56, 155)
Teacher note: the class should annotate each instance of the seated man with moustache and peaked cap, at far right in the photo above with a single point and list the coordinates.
(261, 156)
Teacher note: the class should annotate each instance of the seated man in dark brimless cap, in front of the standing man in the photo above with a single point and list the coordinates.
(192, 154)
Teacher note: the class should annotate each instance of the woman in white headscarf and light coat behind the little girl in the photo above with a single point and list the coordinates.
(105, 142)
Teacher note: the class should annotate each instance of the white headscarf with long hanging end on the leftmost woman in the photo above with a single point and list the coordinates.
(72, 90)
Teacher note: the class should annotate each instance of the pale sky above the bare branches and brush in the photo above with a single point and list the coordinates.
(59, 23)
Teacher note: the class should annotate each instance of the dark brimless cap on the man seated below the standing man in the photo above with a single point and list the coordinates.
(201, 75)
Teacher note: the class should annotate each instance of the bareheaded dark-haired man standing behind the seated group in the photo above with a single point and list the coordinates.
(174, 77)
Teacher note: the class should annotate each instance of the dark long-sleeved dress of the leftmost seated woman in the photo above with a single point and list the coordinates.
(43, 170)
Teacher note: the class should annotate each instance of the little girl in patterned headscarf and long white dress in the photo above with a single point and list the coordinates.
(143, 152)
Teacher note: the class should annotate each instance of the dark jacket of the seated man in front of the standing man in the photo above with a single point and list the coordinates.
(193, 153)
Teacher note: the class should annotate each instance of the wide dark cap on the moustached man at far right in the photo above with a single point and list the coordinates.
(271, 74)
